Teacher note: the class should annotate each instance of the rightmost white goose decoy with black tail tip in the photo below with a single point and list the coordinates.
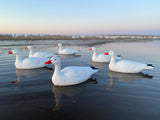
(126, 66)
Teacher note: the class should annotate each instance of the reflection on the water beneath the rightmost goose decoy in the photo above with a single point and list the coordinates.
(123, 77)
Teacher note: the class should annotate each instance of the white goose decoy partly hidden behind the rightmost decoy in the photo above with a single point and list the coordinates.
(101, 57)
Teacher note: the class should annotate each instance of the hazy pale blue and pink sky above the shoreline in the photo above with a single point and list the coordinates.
(80, 16)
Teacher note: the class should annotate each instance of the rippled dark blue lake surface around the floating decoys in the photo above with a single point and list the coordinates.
(30, 94)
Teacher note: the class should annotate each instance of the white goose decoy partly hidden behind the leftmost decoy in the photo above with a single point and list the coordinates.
(39, 54)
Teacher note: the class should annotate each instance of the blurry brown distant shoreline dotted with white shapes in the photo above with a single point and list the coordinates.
(79, 37)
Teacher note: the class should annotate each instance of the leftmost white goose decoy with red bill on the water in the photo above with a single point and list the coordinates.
(28, 63)
